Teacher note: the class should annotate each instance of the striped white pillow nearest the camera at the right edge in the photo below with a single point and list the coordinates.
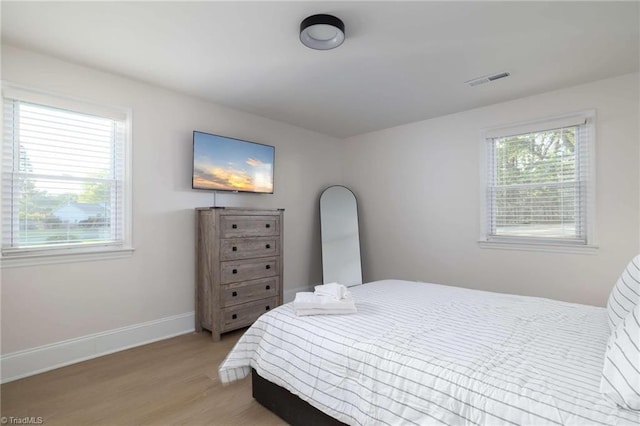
(621, 373)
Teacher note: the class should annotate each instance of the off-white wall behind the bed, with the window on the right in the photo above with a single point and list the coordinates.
(419, 194)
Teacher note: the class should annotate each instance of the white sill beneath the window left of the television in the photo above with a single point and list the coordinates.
(31, 259)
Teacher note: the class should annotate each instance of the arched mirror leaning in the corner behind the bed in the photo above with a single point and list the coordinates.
(340, 237)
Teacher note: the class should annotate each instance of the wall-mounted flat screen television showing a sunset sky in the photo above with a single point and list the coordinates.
(221, 163)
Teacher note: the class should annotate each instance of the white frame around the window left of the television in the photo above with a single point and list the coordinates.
(48, 255)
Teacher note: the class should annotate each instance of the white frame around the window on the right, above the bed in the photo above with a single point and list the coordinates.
(541, 244)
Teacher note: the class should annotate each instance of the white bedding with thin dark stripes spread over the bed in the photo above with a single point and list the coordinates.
(421, 354)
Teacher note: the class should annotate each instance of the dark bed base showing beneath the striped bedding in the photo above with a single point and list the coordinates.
(289, 407)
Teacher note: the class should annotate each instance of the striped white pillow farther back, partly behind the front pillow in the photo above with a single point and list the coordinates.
(625, 294)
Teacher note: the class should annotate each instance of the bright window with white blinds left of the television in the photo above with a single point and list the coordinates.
(65, 171)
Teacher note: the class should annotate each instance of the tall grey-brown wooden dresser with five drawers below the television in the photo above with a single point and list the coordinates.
(239, 266)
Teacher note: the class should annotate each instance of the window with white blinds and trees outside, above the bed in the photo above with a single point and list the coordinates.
(539, 183)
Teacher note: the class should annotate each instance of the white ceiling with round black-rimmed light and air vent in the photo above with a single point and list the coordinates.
(401, 61)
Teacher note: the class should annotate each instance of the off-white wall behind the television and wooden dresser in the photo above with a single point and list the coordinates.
(53, 303)
